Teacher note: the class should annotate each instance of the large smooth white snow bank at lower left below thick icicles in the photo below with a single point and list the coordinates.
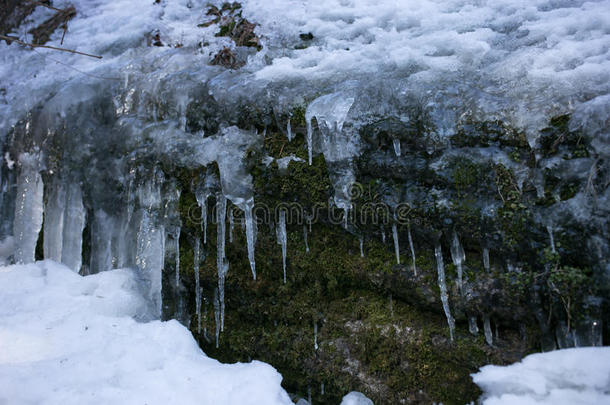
(67, 339)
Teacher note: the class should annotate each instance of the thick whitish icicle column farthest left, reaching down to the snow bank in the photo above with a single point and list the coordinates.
(28, 209)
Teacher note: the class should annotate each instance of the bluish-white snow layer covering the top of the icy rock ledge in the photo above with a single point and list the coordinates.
(521, 61)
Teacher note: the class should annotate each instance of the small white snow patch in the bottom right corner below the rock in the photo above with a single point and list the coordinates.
(570, 377)
